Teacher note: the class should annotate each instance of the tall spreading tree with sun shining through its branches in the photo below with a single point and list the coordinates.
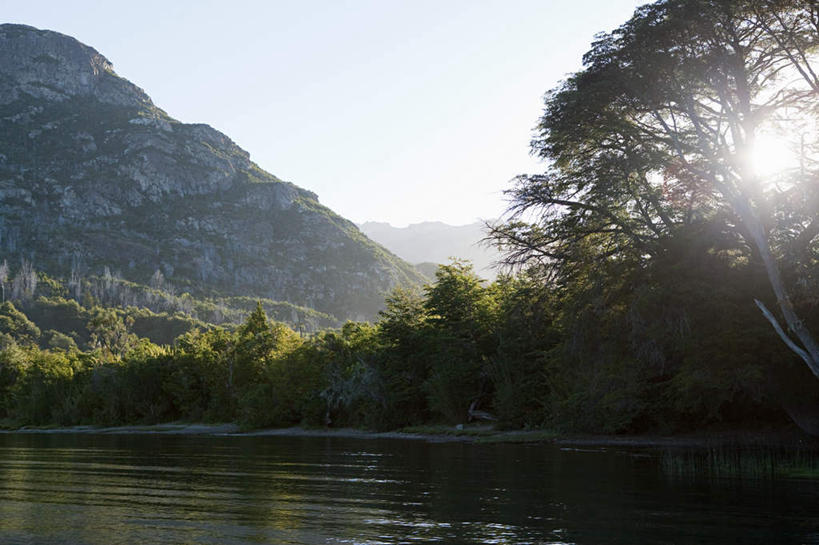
(670, 123)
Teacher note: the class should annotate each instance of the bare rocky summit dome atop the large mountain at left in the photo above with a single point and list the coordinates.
(53, 66)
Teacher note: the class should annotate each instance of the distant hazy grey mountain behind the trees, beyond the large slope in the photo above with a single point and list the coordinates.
(435, 242)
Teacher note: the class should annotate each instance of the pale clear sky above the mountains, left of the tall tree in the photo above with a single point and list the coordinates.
(394, 111)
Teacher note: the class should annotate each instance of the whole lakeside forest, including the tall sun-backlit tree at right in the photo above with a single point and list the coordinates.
(663, 273)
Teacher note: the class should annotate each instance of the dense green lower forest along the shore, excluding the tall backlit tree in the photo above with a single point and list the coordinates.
(620, 349)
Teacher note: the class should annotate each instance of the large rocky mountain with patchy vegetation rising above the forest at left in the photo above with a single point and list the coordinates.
(93, 175)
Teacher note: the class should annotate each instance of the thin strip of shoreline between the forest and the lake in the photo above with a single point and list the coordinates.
(787, 438)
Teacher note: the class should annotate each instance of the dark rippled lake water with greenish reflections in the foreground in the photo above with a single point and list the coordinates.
(106, 489)
